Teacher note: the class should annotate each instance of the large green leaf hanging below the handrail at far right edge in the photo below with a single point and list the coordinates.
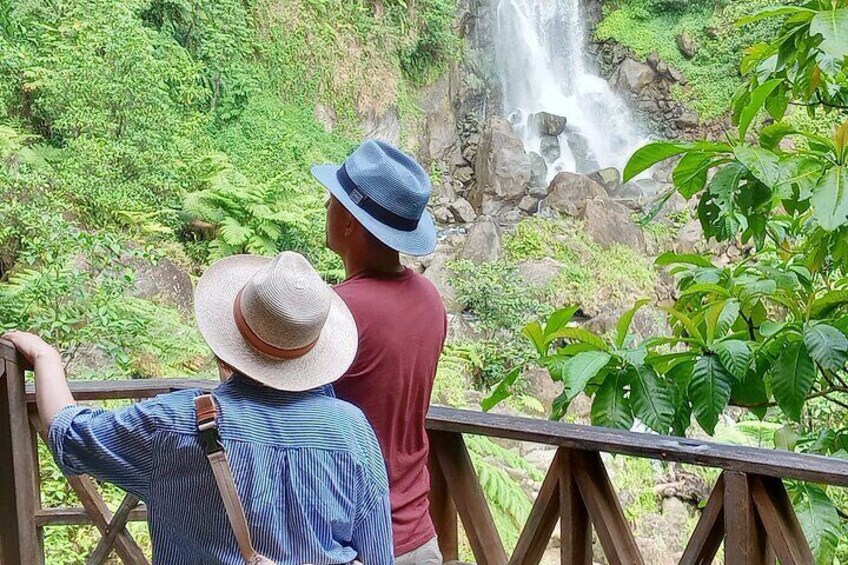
(819, 520)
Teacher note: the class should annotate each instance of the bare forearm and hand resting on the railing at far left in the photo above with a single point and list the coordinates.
(51, 389)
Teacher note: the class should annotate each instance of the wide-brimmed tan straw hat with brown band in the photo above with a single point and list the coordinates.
(275, 321)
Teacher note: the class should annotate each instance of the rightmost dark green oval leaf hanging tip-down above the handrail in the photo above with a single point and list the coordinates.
(792, 379)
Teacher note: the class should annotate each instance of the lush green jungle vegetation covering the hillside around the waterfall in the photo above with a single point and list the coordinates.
(139, 132)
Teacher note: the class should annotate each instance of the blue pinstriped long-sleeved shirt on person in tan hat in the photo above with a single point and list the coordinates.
(308, 469)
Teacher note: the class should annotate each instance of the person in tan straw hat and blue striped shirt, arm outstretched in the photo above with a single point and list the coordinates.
(274, 469)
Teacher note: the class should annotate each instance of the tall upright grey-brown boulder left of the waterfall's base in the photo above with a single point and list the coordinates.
(503, 169)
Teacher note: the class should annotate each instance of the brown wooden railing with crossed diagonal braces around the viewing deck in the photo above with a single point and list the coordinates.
(748, 510)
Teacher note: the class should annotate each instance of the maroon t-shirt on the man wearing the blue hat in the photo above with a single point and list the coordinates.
(402, 326)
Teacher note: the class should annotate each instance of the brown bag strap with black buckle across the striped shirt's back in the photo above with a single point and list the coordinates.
(207, 426)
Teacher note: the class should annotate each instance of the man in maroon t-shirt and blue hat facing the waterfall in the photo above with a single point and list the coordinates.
(377, 209)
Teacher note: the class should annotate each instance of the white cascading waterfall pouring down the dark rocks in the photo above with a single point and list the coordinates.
(541, 61)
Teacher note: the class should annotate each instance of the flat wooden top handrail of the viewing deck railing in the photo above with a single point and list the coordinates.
(753, 460)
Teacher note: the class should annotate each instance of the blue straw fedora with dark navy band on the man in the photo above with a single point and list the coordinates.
(387, 191)
